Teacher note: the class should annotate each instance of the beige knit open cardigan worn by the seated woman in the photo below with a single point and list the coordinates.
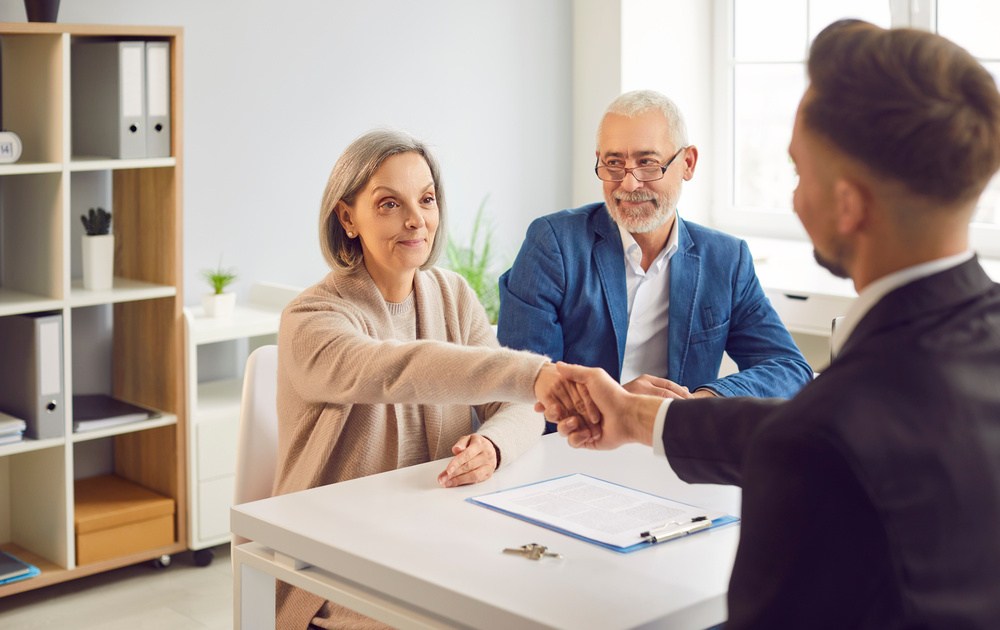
(344, 381)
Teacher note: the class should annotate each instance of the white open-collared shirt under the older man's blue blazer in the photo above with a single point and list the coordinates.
(648, 308)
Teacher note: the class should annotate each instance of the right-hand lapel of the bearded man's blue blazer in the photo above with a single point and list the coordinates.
(685, 278)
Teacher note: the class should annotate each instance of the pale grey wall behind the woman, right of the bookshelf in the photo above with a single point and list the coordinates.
(273, 92)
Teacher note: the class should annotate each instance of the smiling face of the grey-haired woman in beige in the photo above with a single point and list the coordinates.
(395, 216)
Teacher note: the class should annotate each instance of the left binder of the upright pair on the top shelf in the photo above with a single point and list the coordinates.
(109, 99)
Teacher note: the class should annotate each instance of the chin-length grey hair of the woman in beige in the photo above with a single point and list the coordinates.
(351, 173)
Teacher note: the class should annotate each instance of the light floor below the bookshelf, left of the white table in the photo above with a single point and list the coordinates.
(179, 597)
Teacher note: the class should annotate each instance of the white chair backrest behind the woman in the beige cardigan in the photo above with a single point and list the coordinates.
(257, 444)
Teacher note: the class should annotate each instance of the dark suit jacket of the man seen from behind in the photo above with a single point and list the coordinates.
(871, 499)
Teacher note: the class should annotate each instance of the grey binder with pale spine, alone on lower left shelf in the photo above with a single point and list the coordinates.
(31, 373)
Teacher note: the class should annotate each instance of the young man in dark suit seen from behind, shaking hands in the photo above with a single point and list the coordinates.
(871, 499)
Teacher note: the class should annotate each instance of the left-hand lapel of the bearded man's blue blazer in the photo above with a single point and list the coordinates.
(609, 258)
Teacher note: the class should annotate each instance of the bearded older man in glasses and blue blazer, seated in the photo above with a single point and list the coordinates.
(628, 286)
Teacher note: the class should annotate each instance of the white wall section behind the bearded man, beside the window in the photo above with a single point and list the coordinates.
(663, 45)
